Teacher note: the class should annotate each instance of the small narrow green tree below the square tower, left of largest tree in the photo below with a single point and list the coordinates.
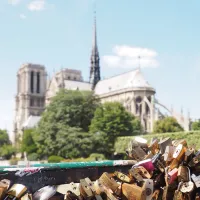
(28, 144)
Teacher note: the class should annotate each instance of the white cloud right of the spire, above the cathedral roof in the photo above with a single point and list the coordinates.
(126, 57)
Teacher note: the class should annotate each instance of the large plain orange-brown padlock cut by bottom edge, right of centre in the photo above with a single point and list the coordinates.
(132, 192)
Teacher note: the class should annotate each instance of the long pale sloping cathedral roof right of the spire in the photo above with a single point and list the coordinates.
(131, 79)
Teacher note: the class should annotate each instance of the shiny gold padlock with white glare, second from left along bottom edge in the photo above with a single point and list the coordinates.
(16, 191)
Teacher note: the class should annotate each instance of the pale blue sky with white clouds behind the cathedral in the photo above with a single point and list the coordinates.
(58, 33)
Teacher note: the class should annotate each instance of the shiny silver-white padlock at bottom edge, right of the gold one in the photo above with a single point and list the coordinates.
(45, 193)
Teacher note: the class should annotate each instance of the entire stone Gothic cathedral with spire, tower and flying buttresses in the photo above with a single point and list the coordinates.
(35, 90)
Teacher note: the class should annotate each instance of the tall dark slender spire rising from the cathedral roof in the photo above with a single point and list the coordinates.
(94, 67)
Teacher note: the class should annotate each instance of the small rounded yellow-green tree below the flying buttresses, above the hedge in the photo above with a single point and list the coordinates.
(168, 124)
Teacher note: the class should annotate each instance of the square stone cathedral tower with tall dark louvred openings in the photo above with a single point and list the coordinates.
(30, 98)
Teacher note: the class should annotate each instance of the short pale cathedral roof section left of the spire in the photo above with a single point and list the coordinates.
(74, 85)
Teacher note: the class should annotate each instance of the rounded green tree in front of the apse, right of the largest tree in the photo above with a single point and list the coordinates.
(110, 121)
